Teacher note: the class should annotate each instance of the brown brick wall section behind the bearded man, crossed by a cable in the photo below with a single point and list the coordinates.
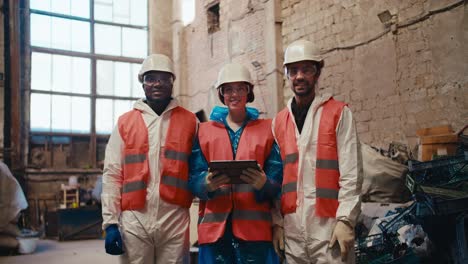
(397, 78)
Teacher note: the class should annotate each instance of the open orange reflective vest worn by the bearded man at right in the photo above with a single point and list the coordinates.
(327, 172)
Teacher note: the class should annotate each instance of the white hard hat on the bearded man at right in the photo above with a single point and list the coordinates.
(302, 50)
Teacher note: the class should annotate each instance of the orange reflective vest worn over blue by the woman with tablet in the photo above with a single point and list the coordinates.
(251, 221)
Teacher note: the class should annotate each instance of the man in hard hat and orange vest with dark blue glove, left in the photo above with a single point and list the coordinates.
(145, 198)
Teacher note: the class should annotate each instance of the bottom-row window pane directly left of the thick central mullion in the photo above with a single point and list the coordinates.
(81, 114)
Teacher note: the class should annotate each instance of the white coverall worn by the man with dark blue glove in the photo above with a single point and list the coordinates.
(159, 233)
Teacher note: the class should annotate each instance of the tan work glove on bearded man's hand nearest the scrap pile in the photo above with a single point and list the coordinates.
(344, 235)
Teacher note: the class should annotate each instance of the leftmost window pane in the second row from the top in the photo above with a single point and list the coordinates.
(40, 30)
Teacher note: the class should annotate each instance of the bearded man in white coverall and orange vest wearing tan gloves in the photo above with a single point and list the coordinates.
(320, 199)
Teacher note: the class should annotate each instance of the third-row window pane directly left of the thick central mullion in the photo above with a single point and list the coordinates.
(81, 75)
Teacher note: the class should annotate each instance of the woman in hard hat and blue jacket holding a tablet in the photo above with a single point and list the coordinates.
(235, 220)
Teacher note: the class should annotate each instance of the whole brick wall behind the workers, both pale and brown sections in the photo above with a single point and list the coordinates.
(395, 82)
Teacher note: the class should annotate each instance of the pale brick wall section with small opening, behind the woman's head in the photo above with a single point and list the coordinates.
(239, 37)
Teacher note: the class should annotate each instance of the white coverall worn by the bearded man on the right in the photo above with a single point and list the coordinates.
(306, 235)
